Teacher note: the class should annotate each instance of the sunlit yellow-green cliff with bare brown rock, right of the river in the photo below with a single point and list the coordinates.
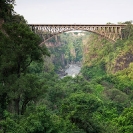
(115, 56)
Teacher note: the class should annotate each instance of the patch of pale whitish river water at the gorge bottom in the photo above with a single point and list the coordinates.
(73, 70)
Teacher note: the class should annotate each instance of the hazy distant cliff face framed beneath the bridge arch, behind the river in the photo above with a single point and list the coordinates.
(65, 49)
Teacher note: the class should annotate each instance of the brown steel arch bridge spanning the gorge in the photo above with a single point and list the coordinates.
(111, 32)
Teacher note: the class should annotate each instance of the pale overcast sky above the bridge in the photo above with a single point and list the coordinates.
(75, 11)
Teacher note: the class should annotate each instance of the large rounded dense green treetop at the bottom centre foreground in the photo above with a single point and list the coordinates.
(80, 108)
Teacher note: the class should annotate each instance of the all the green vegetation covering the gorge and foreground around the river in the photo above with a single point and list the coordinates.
(33, 99)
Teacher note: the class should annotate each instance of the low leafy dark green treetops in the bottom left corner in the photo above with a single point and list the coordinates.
(37, 120)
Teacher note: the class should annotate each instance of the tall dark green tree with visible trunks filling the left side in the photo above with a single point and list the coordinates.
(19, 46)
